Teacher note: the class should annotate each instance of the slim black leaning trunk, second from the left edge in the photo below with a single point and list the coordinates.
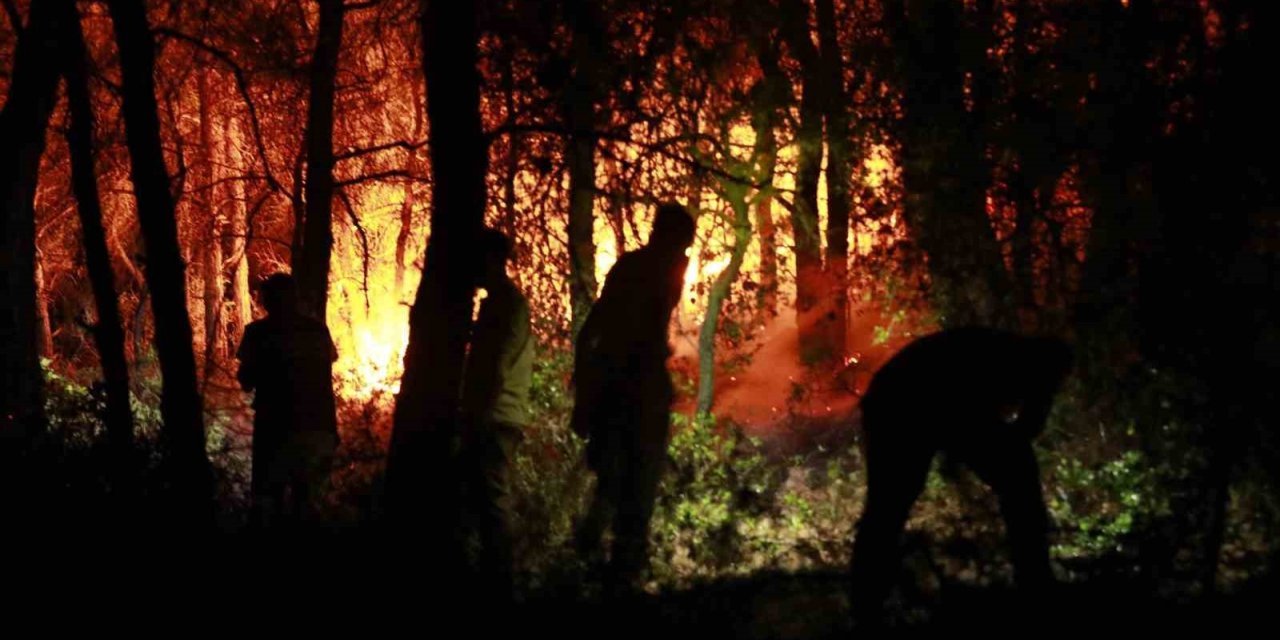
(108, 333)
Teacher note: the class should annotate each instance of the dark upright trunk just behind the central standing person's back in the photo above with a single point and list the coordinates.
(580, 157)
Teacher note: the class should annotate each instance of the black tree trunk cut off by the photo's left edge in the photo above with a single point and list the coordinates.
(22, 141)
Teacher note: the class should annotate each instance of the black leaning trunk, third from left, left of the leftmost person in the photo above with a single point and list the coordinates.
(166, 273)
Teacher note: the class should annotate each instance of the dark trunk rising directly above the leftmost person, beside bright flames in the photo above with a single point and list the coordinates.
(313, 267)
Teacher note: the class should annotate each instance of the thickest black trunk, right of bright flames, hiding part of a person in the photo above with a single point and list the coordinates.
(418, 481)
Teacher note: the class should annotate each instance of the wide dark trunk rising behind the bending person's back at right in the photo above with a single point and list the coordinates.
(945, 171)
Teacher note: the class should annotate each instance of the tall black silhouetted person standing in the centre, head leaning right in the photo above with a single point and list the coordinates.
(624, 392)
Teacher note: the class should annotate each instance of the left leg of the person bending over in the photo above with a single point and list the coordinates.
(897, 472)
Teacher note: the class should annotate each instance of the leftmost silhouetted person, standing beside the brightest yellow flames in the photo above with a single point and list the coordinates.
(287, 362)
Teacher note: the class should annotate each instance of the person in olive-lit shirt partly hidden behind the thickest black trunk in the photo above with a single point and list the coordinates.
(495, 409)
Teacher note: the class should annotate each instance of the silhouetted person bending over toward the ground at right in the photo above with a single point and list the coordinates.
(980, 396)
